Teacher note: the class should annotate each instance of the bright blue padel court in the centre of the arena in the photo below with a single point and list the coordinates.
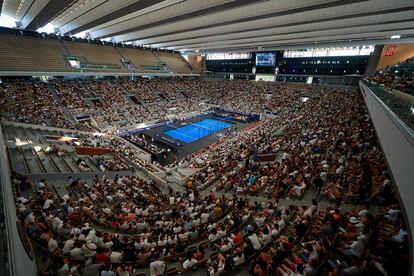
(193, 132)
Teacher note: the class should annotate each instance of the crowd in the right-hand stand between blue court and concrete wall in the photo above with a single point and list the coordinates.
(330, 145)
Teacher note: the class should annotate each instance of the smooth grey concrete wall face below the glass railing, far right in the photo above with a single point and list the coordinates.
(397, 143)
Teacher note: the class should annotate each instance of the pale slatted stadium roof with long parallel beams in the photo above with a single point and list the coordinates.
(220, 25)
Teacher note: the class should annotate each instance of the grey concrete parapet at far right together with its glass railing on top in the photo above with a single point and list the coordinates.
(396, 138)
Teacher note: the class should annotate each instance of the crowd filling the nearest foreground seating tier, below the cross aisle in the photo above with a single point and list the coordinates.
(139, 226)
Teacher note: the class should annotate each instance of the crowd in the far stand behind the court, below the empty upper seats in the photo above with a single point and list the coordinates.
(107, 100)
